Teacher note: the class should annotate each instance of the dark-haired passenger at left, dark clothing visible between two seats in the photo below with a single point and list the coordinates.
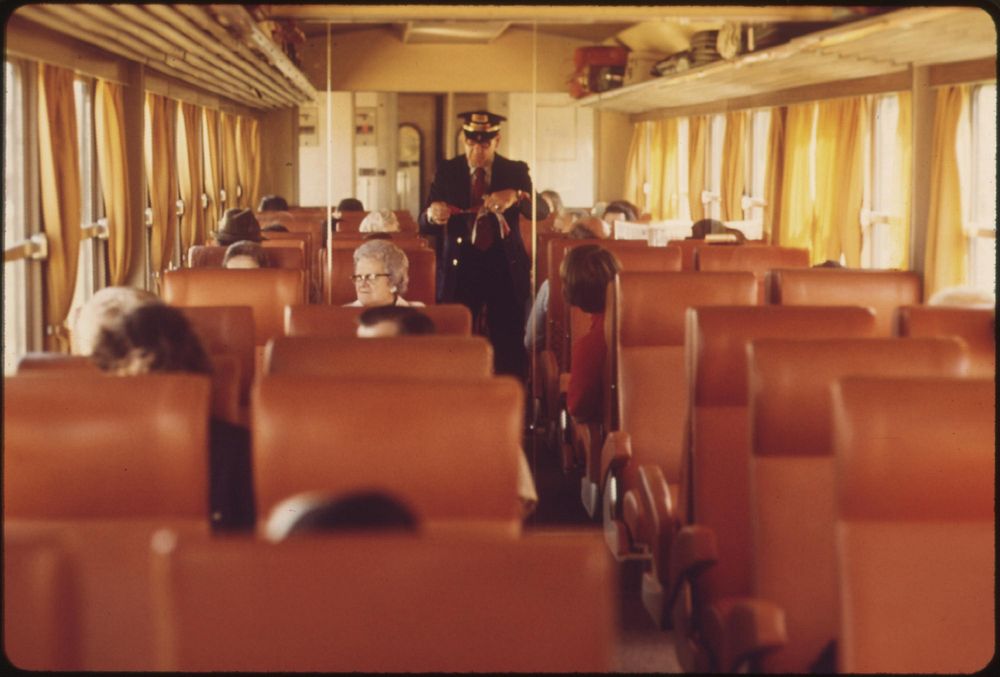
(158, 338)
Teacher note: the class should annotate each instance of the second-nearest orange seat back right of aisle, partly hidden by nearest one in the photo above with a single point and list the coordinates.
(792, 470)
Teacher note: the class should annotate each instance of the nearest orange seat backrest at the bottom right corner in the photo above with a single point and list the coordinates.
(916, 524)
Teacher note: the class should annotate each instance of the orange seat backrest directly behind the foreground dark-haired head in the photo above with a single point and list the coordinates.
(334, 435)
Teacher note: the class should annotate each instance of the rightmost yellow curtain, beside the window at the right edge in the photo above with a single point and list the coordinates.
(944, 261)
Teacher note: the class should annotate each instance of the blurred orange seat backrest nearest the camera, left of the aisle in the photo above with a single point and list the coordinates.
(388, 603)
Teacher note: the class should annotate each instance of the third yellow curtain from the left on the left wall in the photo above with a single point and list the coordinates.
(161, 177)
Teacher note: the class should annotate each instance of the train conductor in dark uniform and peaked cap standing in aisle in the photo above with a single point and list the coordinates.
(474, 206)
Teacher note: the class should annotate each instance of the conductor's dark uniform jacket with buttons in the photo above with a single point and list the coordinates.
(453, 184)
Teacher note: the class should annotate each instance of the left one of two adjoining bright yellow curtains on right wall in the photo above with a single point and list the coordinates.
(795, 212)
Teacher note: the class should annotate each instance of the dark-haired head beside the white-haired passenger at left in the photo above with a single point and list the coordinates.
(152, 337)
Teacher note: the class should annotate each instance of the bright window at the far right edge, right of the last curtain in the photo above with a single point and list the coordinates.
(981, 188)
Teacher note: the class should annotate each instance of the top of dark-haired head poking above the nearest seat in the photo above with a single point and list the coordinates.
(312, 513)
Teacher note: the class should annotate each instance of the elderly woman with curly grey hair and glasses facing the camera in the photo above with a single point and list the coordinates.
(381, 274)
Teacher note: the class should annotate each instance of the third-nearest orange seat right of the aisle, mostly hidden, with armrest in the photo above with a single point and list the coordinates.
(725, 627)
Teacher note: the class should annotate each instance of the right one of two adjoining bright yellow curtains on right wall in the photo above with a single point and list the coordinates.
(840, 135)
